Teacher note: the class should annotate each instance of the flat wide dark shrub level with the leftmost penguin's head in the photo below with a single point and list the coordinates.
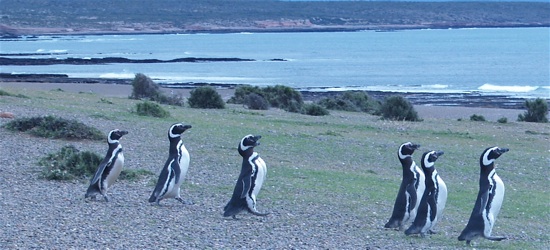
(55, 127)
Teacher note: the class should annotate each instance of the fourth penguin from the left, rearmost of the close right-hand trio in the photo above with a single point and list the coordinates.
(411, 189)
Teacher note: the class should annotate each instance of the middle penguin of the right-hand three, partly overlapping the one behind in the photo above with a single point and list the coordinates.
(433, 200)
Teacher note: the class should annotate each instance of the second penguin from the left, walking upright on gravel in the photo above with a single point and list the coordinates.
(173, 173)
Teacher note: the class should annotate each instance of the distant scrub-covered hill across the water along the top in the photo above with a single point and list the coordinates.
(33, 17)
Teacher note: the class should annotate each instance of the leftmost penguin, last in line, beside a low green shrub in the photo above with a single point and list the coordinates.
(110, 167)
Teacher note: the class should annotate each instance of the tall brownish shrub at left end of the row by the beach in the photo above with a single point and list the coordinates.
(144, 88)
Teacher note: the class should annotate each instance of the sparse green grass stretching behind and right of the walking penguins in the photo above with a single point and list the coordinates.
(347, 155)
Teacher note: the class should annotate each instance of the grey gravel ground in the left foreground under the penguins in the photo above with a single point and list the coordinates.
(37, 213)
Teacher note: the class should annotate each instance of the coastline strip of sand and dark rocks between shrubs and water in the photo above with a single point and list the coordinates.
(488, 106)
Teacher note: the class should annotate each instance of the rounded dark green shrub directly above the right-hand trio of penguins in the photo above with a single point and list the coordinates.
(398, 108)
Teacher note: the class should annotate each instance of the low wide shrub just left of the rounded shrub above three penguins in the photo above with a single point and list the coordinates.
(350, 101)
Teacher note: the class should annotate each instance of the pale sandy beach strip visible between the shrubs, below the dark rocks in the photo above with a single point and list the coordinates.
(122, 91)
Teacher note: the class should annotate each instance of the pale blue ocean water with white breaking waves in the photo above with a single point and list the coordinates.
(504, 61)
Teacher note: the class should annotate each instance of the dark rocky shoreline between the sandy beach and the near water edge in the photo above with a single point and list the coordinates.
(466, 99)
